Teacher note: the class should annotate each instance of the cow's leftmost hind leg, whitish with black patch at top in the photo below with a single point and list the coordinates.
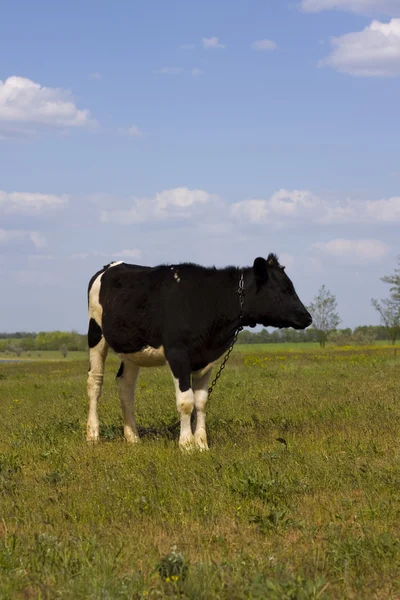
(98, 349)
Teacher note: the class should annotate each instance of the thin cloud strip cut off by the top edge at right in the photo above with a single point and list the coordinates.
(389, 7)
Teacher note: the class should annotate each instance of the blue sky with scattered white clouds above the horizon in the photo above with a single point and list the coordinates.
(156, 131)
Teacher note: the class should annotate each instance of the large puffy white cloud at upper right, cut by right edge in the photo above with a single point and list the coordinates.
(372, 52)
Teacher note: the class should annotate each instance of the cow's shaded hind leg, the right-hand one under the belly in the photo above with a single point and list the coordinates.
(126, 380)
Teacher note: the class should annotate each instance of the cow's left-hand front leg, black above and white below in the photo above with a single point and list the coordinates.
(180, 367)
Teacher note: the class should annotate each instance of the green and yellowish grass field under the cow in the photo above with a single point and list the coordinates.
(299, 496)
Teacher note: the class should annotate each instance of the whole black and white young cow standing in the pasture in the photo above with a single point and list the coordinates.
(182, 315)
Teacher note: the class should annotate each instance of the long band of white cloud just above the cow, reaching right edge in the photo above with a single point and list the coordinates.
(284, 207)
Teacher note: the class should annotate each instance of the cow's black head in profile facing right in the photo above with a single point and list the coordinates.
(272, 299)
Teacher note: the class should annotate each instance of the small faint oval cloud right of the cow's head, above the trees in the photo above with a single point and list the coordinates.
(353, 251)
